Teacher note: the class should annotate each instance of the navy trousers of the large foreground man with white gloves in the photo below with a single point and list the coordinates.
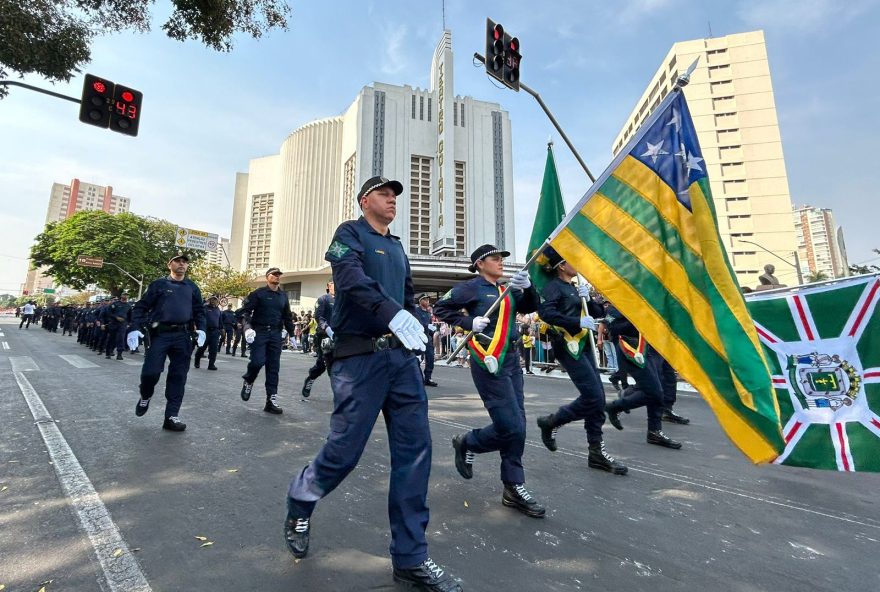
(389, 382)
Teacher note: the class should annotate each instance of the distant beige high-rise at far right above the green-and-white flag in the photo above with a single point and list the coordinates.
(820, 247)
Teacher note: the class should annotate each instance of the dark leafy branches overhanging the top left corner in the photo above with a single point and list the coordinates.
(53, 38)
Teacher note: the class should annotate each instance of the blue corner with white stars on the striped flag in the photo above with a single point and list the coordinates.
(670, 149)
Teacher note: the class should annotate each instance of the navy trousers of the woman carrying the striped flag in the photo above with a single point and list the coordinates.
(502, 397)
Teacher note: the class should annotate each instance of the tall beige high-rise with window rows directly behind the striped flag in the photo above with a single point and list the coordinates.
(730, 97)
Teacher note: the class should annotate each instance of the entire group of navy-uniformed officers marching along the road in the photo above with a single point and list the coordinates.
(370, 331)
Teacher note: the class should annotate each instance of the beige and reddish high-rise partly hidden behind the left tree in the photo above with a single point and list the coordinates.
(64, 202)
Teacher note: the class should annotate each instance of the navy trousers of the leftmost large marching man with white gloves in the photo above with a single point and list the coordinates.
(177, 347)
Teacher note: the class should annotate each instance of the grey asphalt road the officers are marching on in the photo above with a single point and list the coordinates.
(702, 518)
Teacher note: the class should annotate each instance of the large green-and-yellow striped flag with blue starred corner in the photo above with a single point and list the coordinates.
(645, 235)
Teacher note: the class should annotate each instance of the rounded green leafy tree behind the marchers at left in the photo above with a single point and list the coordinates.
(140, 246)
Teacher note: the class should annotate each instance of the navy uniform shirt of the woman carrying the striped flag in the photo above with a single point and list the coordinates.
(476, 296)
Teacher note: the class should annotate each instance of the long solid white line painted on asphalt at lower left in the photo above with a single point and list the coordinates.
(122, 571)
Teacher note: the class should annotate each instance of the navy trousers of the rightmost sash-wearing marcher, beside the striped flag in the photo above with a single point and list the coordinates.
(650, 384)
